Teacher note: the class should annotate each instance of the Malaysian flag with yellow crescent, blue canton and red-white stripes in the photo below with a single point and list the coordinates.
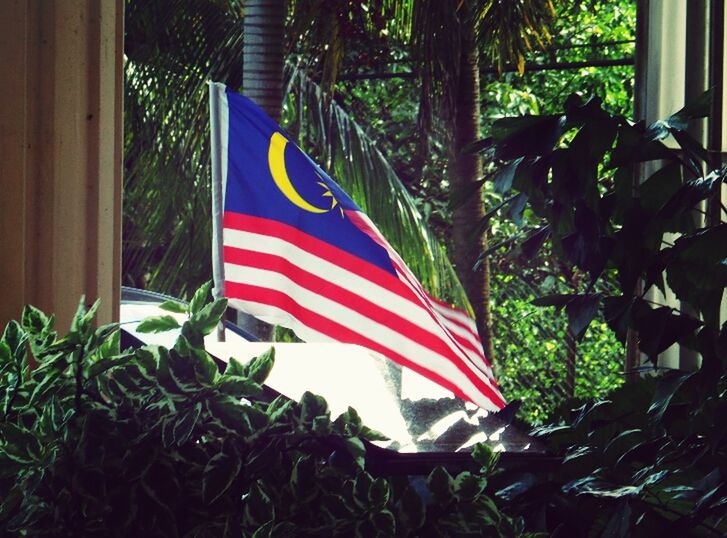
(299, 253)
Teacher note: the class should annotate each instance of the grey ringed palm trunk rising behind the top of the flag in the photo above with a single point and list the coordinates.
(262, 81)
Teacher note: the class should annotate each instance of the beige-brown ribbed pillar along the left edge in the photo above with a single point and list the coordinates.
(61, 131)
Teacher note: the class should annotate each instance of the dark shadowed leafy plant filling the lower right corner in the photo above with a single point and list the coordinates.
(649, 461)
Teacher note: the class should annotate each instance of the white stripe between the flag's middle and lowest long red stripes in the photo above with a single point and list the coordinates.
(354, 320)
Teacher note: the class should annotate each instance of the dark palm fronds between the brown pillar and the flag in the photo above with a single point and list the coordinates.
(172, 48)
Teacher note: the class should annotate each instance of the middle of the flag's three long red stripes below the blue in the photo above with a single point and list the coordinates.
(339, 294)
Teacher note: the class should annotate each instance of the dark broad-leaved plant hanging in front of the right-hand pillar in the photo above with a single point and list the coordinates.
(576, 171)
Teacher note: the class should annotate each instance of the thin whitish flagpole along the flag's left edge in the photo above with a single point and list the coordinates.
(218, 269)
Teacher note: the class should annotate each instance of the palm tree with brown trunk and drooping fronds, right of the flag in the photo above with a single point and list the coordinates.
(449, 37)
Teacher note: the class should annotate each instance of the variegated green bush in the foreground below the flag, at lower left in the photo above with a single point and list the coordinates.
(95, 441)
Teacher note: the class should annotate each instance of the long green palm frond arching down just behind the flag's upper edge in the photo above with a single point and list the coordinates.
(327, 132)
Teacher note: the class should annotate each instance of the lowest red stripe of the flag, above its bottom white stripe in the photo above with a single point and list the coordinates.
(341, 333)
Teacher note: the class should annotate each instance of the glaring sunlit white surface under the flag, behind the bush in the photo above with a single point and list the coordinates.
(415, 413)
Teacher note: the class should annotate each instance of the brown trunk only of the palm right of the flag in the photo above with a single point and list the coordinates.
(464, 171)
